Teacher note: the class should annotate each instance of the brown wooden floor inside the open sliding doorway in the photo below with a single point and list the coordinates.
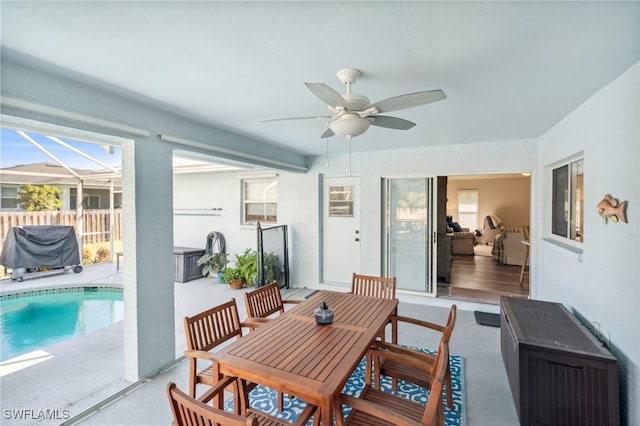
(482, 278)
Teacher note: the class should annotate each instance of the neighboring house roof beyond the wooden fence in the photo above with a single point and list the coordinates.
(54, 174)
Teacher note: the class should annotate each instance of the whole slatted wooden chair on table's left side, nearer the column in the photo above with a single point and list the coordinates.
(206, 331)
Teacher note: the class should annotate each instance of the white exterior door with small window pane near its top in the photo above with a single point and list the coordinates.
(340, 229)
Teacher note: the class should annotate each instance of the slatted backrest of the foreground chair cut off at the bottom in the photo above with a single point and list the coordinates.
(188, 411)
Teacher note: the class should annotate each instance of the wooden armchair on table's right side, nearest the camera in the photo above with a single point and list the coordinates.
(375, 407)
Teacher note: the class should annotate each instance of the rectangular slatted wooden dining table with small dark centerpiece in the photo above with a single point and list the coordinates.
(294, 355)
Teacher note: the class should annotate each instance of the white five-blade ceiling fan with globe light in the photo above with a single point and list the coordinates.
(352, 114)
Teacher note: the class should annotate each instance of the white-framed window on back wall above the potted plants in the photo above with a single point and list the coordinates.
(259, 201)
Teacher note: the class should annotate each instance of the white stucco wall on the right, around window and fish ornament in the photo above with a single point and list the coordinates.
(602, 284)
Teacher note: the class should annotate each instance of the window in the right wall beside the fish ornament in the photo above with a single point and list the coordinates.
(567, 203)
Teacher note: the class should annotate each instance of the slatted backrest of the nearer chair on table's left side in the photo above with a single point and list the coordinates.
(212, 327)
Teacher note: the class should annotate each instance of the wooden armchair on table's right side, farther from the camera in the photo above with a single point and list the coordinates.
(412, 365)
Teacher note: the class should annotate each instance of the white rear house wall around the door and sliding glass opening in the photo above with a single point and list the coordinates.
(299, 204)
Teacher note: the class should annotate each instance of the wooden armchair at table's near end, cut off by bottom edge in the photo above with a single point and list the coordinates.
(188, 411)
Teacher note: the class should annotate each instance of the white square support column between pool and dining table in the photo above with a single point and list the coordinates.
(148, 248)
